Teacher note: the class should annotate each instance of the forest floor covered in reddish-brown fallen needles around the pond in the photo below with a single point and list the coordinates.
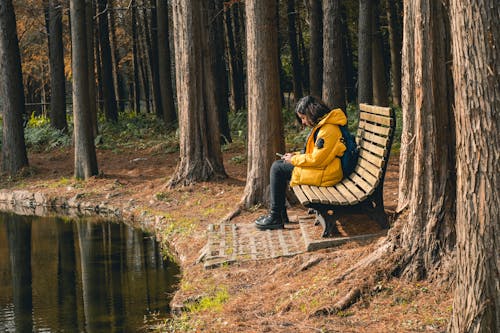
(272, 295)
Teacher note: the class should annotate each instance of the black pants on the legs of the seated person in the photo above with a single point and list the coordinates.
(280, 175)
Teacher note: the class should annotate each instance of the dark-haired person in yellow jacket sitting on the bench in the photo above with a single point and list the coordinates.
(318, 164)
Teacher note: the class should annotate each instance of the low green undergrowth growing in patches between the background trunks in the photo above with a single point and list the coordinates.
(141, 131)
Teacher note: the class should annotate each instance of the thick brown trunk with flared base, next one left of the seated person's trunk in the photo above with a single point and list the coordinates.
(200, 154)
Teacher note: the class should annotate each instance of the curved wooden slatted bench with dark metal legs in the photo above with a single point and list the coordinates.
(362, 191)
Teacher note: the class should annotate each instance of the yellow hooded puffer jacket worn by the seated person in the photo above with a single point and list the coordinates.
(320, 164)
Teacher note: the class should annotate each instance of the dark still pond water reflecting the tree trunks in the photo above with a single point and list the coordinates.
(80, 276)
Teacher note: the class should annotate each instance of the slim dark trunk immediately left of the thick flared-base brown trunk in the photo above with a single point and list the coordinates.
(165, 71)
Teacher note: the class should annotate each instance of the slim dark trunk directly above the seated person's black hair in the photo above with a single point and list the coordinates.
(316, 48)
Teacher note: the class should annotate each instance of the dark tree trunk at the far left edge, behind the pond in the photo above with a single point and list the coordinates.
(14, 156)
